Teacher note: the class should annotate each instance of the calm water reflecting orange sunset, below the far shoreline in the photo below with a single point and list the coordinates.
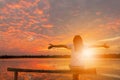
(107, 69)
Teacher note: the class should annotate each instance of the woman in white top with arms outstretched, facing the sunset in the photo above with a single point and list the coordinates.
(76, 63)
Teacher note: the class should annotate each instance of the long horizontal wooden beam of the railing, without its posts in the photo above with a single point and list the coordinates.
(88, 71)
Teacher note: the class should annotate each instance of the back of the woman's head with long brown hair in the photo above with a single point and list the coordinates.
(78, 42)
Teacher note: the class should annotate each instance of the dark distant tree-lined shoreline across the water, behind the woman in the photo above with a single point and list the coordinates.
(54, 56)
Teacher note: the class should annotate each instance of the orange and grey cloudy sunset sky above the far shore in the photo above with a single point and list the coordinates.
(30, 25)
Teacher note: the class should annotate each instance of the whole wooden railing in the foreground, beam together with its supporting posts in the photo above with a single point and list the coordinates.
(83, 71)
